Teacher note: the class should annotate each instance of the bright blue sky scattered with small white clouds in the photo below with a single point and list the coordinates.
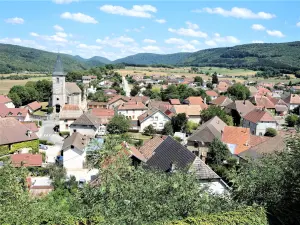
(116, 29)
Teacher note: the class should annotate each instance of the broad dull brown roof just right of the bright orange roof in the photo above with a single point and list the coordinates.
(271, 145)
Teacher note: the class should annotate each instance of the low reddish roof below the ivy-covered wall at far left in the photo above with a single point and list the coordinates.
(26, 160)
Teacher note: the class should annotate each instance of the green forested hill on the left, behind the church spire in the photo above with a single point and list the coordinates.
(15, 58)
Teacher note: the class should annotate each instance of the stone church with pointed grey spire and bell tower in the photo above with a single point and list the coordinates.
(63, 92)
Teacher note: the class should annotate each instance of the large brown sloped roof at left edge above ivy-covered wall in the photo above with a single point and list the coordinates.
(12, 131)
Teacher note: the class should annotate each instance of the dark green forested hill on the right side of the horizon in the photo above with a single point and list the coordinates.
(283, 56)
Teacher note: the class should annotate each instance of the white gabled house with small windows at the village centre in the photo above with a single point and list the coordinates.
(154, 117)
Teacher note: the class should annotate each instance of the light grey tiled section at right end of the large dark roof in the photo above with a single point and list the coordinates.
(203, 171)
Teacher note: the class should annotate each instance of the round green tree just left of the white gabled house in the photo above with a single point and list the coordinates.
(119, 124)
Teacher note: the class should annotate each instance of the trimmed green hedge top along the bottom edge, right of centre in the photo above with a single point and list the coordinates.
(247, 216)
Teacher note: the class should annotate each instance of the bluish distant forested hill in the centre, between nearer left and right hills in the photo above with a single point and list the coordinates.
(152, 59)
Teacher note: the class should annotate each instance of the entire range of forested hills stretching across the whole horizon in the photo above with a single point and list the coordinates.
(282, 56)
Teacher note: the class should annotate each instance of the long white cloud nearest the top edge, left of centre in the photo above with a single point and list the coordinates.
(143, 11)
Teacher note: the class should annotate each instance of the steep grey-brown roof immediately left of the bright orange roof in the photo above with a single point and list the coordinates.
(208, 131)
